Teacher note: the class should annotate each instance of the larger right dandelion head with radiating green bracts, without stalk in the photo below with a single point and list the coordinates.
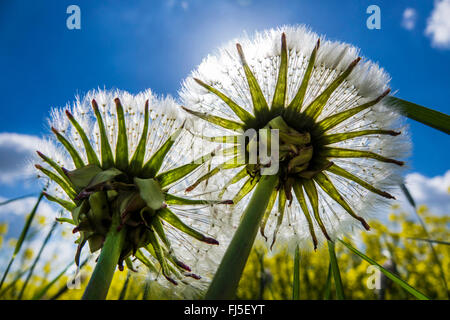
(337, 140)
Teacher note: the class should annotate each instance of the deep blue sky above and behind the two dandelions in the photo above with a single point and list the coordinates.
(134, 45)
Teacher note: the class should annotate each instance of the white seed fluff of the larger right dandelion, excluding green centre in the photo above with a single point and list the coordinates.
(365, 84)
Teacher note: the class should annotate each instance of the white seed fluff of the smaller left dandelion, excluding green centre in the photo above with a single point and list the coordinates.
(164, 121)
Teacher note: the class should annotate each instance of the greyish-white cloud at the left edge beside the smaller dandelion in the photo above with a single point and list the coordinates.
(15, 152)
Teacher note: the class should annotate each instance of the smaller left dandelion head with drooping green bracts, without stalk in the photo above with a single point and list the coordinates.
(123, 166)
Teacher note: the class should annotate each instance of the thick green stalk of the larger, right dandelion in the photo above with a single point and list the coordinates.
(226, 279)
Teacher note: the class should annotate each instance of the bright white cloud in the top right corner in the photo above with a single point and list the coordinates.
(438, 24)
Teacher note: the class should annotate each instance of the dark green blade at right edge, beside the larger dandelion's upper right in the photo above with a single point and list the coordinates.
(429, 117)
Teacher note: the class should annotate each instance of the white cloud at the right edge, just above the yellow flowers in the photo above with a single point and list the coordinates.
(433, 192)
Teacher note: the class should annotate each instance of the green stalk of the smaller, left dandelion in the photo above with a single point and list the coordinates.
(101, 278)
